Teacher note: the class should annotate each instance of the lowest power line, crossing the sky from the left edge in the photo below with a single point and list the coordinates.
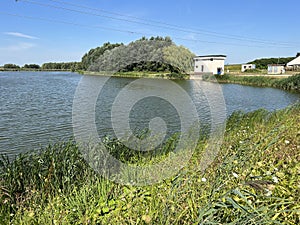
(123, 31)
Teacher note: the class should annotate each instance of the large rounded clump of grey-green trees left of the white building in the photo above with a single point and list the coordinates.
(119, 57)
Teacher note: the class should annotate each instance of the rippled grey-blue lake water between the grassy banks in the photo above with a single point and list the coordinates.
(36, 107)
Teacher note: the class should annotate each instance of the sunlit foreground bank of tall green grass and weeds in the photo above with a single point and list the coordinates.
(253, 180)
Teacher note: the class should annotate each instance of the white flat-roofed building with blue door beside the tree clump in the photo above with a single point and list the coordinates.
(213, 64)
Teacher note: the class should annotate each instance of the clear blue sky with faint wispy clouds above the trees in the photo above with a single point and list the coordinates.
(39, 31)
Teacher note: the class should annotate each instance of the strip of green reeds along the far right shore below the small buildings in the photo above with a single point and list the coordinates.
(291, 83)
